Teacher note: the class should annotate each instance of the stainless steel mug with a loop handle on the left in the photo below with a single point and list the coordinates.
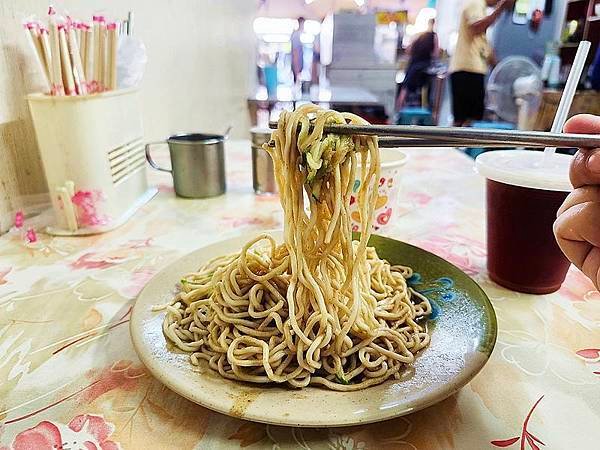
(197, 164)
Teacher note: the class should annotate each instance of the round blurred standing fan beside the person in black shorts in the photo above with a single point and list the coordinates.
(515, 90)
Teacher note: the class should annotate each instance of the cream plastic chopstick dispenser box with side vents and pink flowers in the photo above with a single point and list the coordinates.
(93, 156)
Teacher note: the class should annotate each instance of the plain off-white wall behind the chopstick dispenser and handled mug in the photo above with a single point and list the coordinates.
(199, 72)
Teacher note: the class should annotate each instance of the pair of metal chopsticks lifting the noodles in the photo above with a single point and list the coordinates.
(429, 136)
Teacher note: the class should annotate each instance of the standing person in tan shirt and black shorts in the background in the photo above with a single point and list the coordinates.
(472, 56)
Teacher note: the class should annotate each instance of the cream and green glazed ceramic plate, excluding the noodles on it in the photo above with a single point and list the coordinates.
(463, 334)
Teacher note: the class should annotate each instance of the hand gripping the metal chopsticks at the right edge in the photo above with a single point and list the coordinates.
(577, 227)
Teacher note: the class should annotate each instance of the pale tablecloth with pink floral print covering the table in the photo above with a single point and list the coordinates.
(70, 379)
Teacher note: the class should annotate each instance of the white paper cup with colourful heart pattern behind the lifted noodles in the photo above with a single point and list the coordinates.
(392, 161)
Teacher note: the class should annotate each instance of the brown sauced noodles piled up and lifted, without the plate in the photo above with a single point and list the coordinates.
(318, 309)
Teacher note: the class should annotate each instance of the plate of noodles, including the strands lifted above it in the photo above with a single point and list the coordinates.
(315, 325)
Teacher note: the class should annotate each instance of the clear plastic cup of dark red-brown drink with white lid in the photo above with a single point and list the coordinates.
(523, 196)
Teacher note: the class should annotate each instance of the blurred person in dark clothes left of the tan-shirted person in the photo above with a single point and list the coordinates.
(421, 52)
